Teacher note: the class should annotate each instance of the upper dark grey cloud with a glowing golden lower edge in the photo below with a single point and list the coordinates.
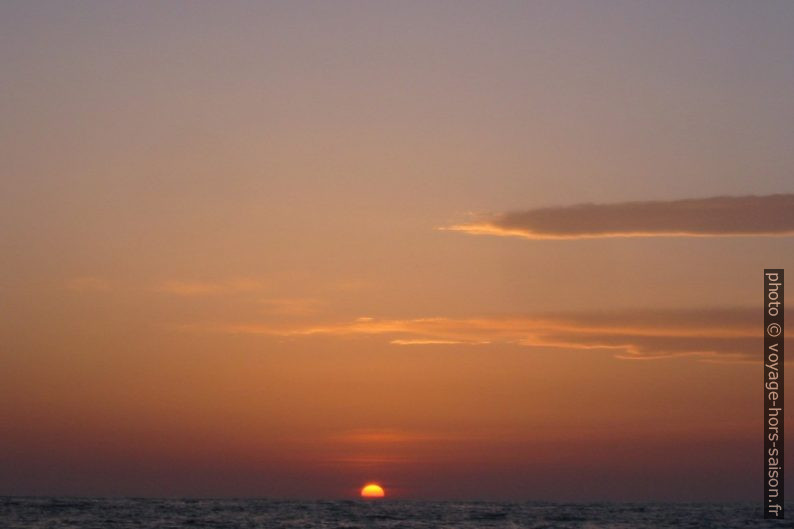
(771, 215)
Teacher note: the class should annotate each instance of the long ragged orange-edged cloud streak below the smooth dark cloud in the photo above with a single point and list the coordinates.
(722, 334)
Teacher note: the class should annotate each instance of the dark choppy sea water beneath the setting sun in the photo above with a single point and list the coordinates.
(98, 513)
